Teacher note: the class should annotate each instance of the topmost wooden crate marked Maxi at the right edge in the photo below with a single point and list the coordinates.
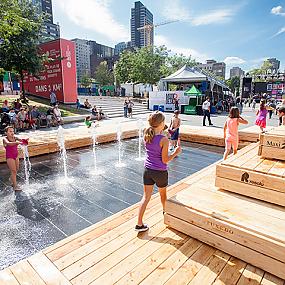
(272, 144)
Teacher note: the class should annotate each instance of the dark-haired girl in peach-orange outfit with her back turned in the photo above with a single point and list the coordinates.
(231, 130)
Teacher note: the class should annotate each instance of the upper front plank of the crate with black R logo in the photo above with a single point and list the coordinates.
(257, 179)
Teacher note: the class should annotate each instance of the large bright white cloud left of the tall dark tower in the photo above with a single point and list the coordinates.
(95, 15)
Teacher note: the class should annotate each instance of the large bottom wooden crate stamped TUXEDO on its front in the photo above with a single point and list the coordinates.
(251, 230)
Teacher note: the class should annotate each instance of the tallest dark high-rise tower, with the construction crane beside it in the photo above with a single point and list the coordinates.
(141, 16)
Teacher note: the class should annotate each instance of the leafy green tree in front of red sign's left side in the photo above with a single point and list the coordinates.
(20, 30)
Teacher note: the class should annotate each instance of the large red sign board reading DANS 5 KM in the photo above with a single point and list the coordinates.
(59, 74)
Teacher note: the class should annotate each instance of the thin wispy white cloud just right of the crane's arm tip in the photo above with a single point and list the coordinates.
(215, 16)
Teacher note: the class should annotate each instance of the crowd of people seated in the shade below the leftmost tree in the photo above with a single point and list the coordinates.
(23, 117)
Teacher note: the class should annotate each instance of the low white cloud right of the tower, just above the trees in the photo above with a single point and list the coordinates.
(162, 40)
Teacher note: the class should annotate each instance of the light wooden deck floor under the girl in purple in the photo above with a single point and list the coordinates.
(111, 252)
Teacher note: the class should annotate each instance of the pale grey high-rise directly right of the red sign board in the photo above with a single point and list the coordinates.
(82, 51)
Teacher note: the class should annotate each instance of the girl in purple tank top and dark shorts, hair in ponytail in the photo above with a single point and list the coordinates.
(157, 157)
